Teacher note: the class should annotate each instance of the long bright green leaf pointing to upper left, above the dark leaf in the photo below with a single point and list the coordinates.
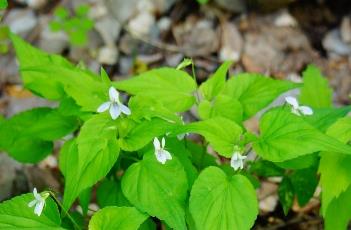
(54, 78)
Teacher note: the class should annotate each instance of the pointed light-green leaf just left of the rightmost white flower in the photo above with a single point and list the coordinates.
(255, 91)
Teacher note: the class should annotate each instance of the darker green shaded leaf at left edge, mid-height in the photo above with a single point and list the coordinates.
(28, 136)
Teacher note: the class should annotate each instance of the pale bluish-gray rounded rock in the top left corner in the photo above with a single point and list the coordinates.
(21, 22)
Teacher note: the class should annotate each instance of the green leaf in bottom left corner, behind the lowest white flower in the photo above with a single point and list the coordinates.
(15, 214)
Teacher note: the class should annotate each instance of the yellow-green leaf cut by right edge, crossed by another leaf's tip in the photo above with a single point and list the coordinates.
(336, 179)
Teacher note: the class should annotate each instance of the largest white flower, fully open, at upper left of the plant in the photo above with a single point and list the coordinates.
(114, 105)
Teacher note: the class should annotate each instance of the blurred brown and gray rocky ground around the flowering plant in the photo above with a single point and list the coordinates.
(275, 37)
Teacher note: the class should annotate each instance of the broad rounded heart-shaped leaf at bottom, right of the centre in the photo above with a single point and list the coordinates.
(221, 202)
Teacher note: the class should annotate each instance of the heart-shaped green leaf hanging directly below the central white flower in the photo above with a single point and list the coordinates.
(157, 189)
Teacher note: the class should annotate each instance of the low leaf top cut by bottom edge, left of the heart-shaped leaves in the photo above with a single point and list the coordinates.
(121, 218)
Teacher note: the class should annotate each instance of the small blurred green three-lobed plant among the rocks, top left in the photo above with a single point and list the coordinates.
(76, 26)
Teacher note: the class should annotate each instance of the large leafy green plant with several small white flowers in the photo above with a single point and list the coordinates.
(145, 169)
